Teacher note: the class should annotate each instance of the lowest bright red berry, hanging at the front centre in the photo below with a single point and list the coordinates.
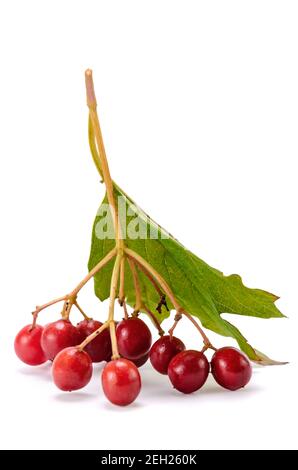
(121, 381)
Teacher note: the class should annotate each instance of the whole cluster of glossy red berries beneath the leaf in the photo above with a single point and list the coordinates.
(121, 382)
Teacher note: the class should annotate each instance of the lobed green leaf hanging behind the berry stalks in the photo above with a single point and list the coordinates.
(201, 290)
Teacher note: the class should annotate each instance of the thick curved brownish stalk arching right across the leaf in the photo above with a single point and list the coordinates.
(166, 288)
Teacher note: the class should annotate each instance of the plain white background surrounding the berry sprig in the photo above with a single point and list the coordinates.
(199, 109)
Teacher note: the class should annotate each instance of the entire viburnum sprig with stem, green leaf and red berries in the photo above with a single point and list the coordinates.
(72, 368)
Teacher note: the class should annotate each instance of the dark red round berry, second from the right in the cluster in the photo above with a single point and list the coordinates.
(188, 371)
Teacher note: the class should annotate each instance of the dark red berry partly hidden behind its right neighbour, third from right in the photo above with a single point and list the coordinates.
(163, 350)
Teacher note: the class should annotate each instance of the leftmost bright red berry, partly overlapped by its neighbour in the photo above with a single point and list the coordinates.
(27, 345)
